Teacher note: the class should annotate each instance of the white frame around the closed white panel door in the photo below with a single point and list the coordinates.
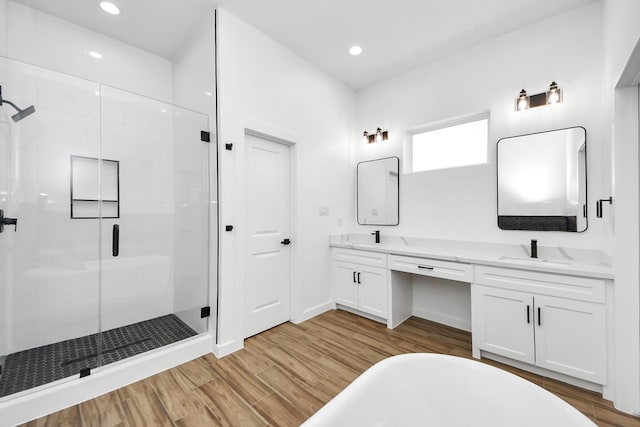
(243, 237)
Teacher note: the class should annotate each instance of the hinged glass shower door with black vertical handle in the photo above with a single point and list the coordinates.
(154, 276)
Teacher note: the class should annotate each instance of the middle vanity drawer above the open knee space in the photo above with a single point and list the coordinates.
(431, 267)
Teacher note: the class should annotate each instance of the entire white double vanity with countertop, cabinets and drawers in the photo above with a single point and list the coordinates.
(549, 315)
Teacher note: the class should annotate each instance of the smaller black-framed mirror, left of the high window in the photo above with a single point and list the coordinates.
(377, 192)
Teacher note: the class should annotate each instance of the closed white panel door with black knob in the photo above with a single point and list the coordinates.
(268, 227)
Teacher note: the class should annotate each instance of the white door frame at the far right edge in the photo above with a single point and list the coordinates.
(625, 331)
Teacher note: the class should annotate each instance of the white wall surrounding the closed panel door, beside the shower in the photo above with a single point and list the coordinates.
(266, 88)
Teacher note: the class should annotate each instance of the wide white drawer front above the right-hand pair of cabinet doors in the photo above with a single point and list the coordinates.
(573, 287)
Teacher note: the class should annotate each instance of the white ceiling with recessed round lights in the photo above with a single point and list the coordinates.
(396, 35)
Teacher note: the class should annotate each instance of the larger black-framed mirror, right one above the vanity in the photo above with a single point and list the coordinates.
(542, 181)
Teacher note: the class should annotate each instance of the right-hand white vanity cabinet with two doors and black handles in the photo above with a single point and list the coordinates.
(553, 321)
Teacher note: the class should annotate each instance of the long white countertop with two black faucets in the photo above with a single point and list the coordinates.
(575, 262)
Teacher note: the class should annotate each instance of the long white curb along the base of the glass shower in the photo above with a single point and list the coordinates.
(49, 398)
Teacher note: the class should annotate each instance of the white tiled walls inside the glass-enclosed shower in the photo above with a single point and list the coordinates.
(55, 296)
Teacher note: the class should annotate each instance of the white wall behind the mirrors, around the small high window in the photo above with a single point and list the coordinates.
(460, 203)
